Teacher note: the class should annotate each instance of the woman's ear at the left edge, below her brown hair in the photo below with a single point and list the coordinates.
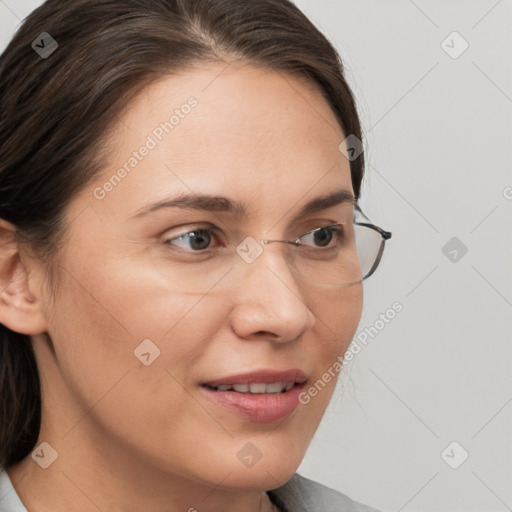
(20, 299)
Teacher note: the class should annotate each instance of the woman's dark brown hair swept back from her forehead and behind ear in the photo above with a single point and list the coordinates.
(55, 112)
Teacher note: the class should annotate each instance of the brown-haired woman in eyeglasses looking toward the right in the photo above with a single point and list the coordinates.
(158, 350)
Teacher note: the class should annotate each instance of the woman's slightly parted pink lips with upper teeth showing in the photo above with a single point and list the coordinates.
(260, 396)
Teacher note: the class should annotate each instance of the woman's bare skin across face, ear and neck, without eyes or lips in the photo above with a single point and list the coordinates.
(132, 437)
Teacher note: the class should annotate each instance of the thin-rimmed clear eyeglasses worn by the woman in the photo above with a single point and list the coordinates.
(337, 255)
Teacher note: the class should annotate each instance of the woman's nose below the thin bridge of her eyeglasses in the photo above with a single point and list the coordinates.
(268, 300)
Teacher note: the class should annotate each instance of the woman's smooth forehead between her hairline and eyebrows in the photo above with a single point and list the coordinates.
(252, 133)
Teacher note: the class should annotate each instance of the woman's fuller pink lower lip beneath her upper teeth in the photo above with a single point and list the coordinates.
(258, 407)
